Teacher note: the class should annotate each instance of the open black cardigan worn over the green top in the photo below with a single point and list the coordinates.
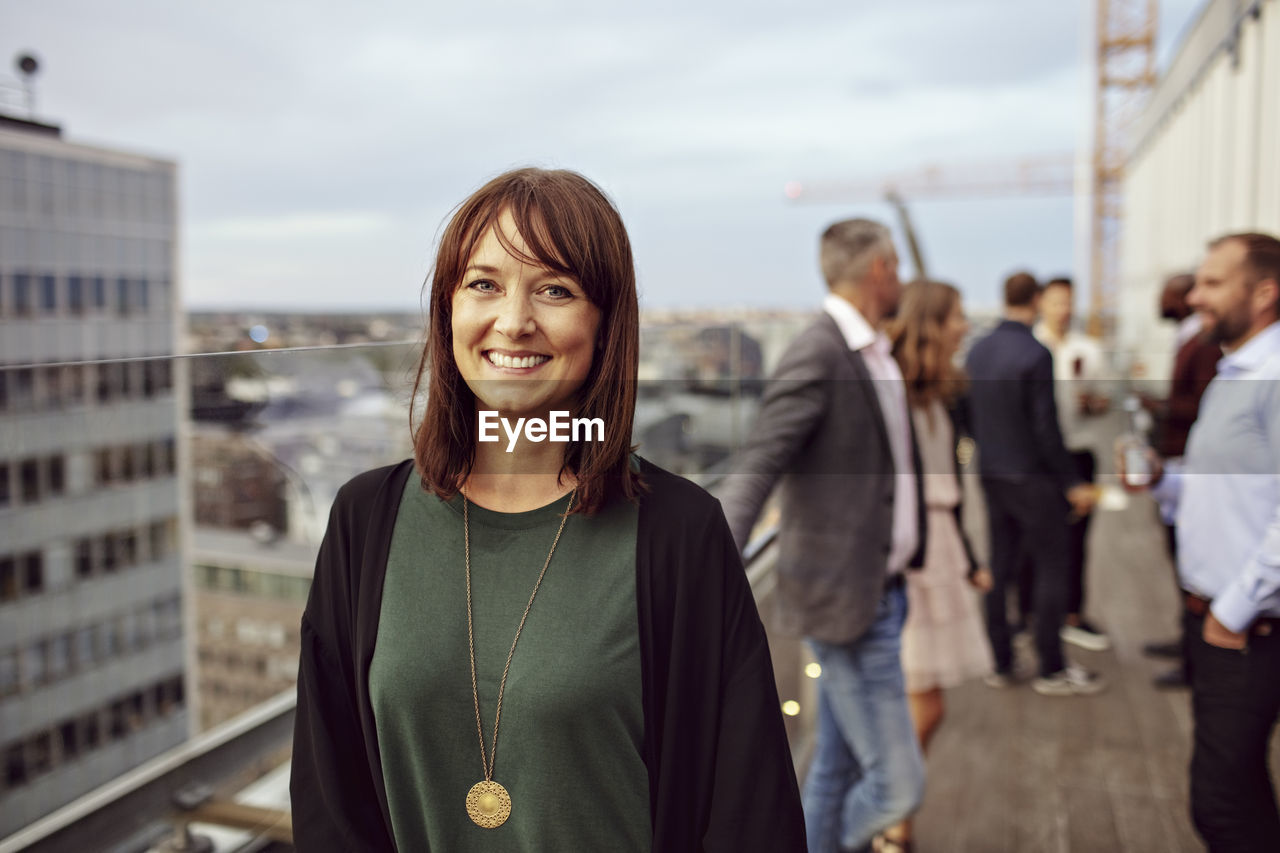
(720, 765)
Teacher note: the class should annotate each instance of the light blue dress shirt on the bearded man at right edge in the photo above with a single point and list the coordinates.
(1227, 489)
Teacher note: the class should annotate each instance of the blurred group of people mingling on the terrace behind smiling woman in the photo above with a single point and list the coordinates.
(886, 589)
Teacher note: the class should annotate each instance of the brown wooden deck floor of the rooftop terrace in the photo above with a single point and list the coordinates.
(1011, 770)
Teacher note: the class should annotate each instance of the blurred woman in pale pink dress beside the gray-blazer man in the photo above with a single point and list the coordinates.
(944, 641)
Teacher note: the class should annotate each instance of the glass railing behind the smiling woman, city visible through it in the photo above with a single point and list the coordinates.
(161, 519)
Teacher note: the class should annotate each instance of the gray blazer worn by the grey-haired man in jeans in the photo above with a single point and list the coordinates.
(821, 439)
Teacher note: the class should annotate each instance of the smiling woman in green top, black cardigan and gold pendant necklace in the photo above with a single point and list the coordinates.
(588, 605)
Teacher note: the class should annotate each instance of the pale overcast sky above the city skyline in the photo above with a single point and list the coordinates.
(322, 145)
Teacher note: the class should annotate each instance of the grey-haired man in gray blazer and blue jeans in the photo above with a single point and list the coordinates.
(835, 437)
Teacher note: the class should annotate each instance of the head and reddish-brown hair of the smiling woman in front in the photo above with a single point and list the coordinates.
(533, 308)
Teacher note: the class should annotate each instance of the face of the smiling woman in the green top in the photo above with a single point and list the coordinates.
(524, 336)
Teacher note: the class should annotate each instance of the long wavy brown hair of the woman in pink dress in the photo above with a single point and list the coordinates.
(917, 336)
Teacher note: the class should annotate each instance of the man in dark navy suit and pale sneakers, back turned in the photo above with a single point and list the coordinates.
(1031, 483)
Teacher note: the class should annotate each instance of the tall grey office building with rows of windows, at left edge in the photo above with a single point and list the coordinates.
(93, 663)
